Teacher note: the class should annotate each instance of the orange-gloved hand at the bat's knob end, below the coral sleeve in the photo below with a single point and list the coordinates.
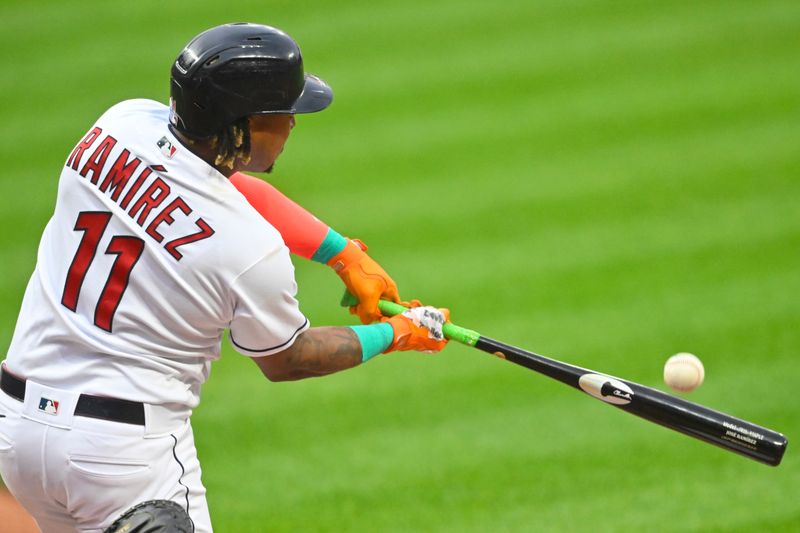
(365, 279)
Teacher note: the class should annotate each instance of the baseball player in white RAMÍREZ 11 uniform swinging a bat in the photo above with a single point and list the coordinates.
(158, 244)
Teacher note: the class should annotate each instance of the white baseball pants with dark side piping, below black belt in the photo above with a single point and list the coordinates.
(74, 473)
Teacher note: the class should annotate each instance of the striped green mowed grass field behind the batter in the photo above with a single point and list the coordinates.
(607, 183)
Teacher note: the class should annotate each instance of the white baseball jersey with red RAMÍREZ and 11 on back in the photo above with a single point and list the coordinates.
(150, 255)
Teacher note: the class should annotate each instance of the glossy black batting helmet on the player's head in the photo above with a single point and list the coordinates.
(236, 70)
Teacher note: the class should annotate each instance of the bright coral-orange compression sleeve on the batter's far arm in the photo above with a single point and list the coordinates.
(302, 232)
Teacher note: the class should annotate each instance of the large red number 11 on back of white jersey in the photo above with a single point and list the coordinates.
(128, 249)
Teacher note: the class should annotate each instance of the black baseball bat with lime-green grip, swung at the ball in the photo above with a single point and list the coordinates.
(723, 430)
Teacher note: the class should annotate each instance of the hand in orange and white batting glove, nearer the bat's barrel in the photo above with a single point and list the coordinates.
(419, 328)
